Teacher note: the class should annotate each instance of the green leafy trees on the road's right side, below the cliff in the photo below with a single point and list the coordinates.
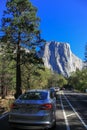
(78, 80)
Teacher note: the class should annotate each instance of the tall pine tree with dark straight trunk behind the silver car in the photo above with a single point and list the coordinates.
(20, 27)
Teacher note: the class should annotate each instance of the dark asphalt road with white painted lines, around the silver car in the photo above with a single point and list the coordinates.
(71, 113)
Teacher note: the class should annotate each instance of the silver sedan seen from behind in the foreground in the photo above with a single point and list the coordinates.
(33, 110)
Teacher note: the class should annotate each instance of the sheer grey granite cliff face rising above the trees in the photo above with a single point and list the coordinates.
(58, 57)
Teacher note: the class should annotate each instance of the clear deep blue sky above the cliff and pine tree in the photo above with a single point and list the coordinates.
(62, 21)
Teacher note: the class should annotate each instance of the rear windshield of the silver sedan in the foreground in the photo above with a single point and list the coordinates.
(34, 96)
